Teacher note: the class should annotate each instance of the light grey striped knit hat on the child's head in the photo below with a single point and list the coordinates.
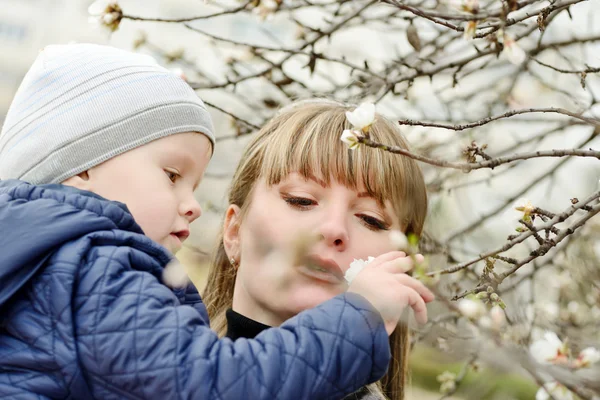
(82, 104)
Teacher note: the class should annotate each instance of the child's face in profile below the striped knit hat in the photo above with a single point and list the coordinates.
(157, 182)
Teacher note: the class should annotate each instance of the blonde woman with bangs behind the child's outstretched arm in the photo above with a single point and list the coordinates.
(299, 191)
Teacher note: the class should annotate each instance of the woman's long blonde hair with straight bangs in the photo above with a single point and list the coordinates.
(305, 138)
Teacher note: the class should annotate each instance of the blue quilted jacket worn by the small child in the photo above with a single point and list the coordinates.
(83, 314)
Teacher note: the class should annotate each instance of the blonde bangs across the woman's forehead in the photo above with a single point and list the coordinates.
(308, 142)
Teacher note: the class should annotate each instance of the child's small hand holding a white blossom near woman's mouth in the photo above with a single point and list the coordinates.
(386, 286)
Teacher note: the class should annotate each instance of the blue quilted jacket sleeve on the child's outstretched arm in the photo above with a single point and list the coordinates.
(135, 340)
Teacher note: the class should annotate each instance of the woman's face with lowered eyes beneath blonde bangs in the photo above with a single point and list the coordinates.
(272, 285)
